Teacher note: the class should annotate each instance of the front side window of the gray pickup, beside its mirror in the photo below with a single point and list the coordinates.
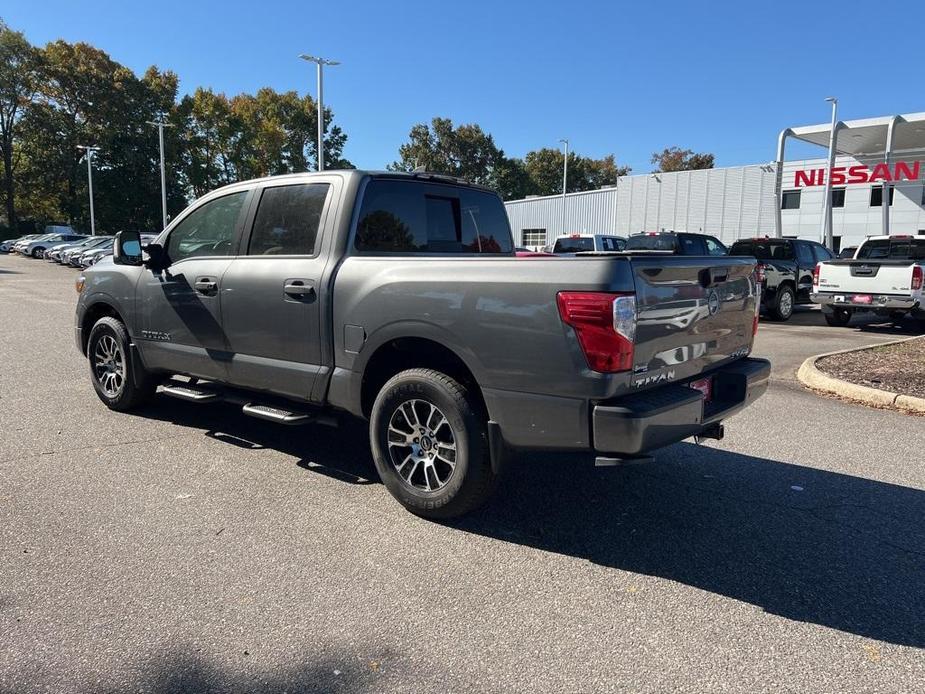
(207, 230)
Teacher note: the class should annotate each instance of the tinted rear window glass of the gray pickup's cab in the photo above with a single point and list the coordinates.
(411, 217)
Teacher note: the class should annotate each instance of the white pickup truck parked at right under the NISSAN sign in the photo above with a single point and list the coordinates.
(884, 277)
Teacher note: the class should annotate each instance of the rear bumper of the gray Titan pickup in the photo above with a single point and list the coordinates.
(640, 423)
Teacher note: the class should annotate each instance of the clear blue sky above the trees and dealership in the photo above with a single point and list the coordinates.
(621, 78)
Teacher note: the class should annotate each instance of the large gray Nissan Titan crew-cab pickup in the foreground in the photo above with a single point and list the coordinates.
(398, 298)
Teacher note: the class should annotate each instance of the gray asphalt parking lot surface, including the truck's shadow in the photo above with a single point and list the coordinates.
(195, 549)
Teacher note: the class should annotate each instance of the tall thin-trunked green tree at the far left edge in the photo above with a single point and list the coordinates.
(19, 66)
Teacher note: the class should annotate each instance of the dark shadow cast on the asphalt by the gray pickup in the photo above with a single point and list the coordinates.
(806, 544)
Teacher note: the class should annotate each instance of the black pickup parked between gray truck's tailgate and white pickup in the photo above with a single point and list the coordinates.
(787, 268)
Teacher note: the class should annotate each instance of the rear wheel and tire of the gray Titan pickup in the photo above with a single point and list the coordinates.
(471, 481)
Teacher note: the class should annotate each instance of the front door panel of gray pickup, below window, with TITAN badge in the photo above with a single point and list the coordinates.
(181, 319)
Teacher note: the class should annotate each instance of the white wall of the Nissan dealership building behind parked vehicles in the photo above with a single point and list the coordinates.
(728, 203)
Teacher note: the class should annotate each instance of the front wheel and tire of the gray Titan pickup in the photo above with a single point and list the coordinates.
(107, 336)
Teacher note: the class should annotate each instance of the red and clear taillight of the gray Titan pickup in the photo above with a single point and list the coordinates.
(605, 325)
